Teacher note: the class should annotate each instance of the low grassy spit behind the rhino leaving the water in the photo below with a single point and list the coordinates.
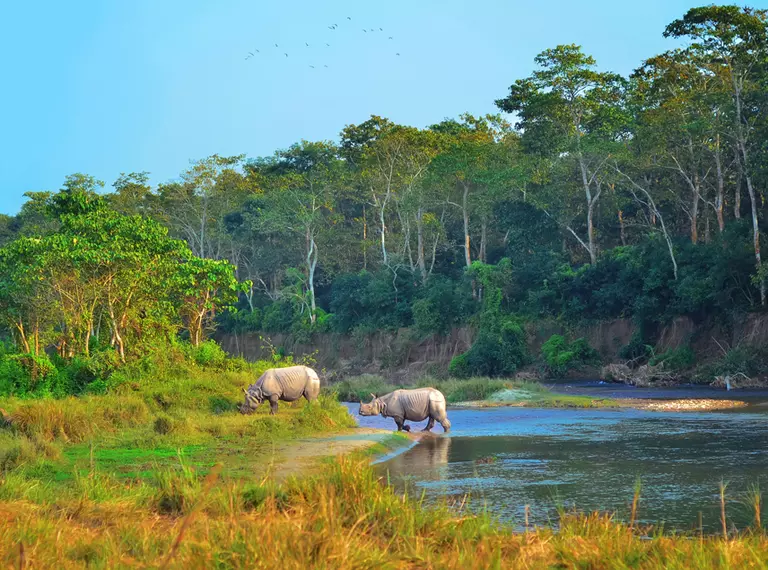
(475, 391)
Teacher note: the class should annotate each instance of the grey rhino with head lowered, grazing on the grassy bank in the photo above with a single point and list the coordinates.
(286, 384)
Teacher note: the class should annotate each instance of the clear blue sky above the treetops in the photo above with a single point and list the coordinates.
(111, 86)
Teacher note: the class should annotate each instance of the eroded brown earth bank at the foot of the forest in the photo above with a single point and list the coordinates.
(404, 355)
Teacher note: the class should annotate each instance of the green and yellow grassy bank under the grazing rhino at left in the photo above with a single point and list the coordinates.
(148, 421)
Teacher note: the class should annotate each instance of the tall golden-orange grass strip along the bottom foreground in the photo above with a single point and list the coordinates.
(342, 518)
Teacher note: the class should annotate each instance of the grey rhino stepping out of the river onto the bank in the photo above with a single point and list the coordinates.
(412, 405)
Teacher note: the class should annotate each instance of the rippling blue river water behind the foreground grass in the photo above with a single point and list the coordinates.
(507, 458)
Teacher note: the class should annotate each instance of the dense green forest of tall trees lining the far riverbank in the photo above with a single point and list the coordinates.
(589, 196)
